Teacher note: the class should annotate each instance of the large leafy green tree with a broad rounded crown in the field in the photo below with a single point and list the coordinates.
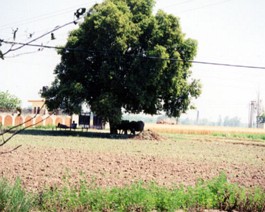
(124, 57)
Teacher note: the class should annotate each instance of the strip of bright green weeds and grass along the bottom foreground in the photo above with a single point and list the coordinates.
(217, 193)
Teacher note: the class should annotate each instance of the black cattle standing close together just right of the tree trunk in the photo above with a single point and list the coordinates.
(133, 126)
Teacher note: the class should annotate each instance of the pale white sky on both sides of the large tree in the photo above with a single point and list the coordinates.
(227, 31)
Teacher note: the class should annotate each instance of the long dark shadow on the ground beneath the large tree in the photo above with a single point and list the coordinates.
(74, 133)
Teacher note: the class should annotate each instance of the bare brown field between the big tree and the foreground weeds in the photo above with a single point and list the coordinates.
(50, 160)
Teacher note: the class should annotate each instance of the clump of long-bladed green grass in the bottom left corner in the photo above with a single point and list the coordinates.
(14, 198)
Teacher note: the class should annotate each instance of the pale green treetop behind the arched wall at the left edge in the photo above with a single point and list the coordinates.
(8, 102)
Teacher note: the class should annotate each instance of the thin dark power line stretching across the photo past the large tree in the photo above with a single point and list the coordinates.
(143, 56)
